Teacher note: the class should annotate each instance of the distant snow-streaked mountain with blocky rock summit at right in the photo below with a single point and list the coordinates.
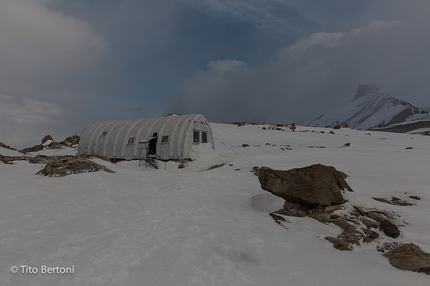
(371, 108)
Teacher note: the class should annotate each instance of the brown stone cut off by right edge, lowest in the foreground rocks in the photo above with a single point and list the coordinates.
(410, 258)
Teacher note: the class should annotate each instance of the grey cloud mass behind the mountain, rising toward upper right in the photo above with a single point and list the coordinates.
(319, 72)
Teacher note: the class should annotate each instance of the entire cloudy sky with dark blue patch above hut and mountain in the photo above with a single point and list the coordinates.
(66, 64)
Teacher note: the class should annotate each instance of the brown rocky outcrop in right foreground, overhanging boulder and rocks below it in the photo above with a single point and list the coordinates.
(315, 192)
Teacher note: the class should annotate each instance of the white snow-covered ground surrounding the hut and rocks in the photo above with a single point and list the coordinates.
(193, 226)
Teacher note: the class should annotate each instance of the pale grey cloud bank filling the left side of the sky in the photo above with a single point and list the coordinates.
(46, 58)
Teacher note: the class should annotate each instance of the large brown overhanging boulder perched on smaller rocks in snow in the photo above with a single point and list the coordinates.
(316, 185)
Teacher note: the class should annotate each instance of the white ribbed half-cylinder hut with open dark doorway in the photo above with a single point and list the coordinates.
(172, 137)
